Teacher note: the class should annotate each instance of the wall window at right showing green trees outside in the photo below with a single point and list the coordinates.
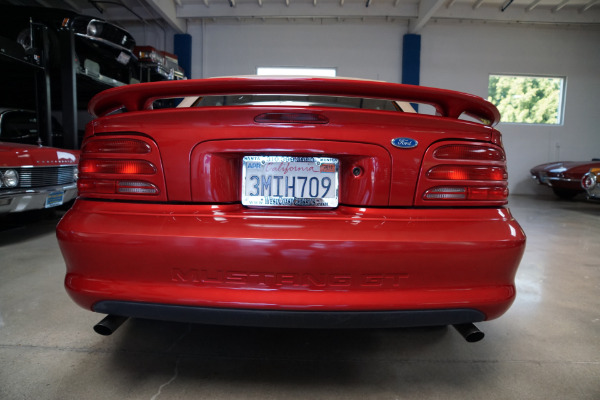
(528, 99)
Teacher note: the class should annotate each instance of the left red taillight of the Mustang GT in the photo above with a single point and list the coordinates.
(120, 167)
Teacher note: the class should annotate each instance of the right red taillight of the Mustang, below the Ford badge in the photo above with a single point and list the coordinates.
(463, 174)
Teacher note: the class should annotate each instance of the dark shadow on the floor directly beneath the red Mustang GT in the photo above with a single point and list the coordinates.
(201, 355)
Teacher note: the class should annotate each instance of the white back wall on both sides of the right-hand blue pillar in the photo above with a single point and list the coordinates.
(454, 56)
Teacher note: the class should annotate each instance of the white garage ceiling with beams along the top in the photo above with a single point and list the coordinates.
(176, 13)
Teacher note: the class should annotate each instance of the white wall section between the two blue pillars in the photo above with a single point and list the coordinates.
(366, 50)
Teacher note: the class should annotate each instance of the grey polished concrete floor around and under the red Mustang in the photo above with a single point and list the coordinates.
(546, 347)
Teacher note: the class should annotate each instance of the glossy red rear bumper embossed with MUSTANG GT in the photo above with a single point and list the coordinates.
(344, 260)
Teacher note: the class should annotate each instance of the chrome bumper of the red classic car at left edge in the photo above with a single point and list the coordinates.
(19, 200)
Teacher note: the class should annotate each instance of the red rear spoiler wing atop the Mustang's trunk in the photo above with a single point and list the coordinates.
(447, 103)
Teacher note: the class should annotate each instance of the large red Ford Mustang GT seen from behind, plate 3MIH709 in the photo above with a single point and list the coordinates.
(296, 202)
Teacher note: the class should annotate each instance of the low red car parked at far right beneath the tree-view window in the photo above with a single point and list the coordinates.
(564, 177)
